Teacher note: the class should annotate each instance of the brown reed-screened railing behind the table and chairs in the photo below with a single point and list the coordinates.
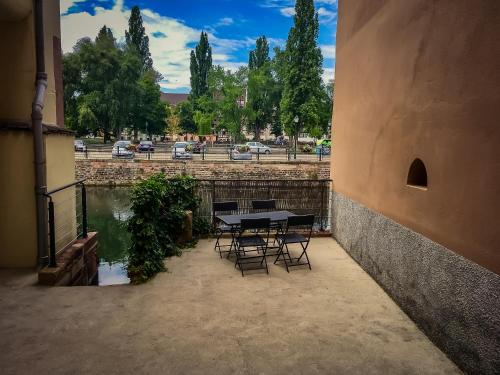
(298, 196)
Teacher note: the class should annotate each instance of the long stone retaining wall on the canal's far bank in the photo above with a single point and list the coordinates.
(126, 172)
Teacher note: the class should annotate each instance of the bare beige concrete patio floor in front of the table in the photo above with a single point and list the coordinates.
(202, 317)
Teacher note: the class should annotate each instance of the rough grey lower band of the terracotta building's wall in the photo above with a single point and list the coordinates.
(453, 300)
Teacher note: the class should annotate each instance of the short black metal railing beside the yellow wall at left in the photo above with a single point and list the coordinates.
(67, 217)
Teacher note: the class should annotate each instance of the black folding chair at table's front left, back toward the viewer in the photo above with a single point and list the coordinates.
(255, 241)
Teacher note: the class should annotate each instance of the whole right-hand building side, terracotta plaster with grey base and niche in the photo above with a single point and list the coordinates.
(416, 163)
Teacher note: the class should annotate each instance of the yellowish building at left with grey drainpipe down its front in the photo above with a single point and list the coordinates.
(31, 99)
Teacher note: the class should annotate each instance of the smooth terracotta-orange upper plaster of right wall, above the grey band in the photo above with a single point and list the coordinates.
(420, 78)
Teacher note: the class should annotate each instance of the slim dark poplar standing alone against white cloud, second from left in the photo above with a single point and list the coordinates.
(200, 65)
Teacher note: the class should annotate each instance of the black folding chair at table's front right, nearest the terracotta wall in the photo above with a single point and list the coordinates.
(292, 236)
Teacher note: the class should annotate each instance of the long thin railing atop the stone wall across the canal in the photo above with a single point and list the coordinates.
(215, 153)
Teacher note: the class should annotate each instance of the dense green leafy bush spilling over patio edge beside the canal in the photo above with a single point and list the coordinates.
(158, 206)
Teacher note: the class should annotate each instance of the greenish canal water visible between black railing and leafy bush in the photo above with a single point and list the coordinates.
(108, 210)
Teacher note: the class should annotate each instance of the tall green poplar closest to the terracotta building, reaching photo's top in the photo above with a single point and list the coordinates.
(300, 104)
